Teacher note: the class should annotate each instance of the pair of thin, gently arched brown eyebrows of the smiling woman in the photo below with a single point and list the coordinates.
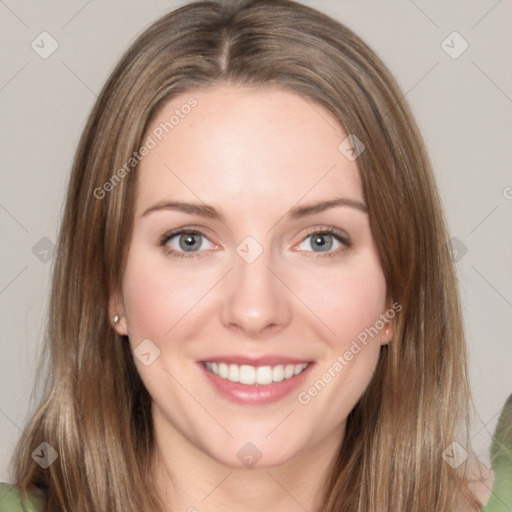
(297, 212)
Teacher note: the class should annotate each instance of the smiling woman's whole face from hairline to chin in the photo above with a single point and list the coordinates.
(257, 329)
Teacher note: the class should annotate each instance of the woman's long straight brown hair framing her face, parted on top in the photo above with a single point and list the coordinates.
(96, 412)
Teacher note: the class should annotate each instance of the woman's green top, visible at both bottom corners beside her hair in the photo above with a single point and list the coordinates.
(499, 501)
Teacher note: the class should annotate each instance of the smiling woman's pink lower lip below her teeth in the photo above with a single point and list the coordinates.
(256, 394)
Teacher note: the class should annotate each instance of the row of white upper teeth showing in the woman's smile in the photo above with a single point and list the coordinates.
(250, 375)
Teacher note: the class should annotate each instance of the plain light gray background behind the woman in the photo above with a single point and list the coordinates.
(463, 106)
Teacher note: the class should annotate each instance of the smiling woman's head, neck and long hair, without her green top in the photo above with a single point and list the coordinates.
(253, 303)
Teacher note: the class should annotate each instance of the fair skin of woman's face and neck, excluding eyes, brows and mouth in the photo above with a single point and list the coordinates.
(253, 155)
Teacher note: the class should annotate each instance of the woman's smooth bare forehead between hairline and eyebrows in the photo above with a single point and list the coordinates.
(241, 146)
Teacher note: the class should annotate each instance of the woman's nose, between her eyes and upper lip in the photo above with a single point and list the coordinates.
(256, 302)
